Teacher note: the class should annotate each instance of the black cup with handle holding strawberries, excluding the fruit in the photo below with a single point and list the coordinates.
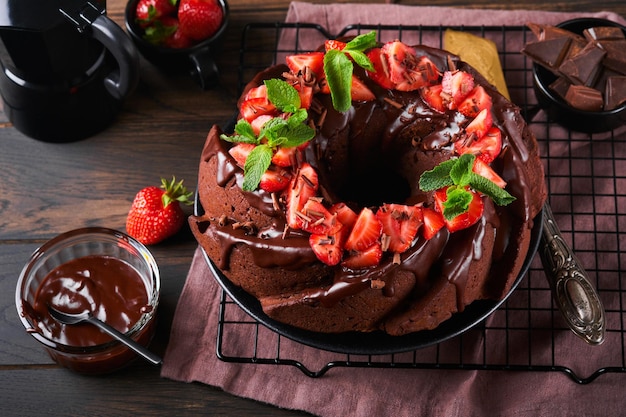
(198, 60)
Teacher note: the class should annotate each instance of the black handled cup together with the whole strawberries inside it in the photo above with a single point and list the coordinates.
(179, 36)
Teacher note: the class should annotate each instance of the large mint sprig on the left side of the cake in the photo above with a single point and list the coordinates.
(290, 131)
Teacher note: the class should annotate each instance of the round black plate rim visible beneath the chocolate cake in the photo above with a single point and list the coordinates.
(374, 343)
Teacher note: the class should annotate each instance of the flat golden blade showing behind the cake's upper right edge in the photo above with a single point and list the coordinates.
(480, 53)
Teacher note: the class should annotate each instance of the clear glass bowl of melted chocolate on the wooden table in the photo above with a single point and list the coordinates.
(99, 270)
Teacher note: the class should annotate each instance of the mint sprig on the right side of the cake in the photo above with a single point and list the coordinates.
(457, 174)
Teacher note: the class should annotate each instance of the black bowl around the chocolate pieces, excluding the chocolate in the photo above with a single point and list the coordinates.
(561, 112)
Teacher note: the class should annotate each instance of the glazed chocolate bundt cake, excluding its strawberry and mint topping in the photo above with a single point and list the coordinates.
(373, 154)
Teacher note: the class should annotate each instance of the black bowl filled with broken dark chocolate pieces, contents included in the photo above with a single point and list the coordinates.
(579, 73)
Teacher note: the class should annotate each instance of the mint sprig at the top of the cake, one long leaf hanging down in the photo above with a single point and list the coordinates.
(338, 68)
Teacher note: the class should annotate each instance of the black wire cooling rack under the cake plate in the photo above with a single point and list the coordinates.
(585, 175)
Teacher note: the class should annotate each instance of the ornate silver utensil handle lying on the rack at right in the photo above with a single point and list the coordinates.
(572, 291)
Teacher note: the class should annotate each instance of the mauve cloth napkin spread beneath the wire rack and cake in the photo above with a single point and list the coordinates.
(191, 353)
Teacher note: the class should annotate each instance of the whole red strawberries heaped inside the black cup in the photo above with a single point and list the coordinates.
(178, 23)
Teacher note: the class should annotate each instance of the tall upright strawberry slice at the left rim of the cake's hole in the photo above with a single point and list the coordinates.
(302, 187)
